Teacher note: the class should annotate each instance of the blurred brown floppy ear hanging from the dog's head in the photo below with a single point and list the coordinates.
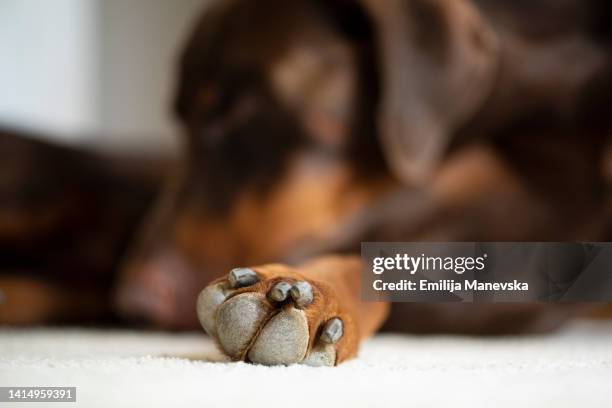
(438, 61)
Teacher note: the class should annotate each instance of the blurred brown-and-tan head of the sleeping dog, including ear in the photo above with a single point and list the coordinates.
(292, 112)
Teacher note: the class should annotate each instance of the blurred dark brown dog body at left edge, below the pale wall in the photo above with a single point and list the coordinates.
(67, 215)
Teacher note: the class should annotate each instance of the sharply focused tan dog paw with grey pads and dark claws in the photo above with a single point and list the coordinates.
(272, 315)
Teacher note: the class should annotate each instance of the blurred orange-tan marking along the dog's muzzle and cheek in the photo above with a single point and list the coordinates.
(309, 202)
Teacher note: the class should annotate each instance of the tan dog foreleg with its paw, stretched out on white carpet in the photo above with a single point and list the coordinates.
(275, 314)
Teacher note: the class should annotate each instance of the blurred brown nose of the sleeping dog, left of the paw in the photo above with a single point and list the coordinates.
(161, 291)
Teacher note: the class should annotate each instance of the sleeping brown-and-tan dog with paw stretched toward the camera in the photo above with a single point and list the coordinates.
(310, 126)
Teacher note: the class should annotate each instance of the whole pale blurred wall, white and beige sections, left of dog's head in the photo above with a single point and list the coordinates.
(99, 71)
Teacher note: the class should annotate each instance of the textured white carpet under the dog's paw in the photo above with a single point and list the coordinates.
(572, 368)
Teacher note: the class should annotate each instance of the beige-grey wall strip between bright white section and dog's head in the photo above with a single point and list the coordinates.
(140, 42)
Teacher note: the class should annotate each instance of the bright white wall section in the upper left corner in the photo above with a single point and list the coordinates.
(48, 68)
